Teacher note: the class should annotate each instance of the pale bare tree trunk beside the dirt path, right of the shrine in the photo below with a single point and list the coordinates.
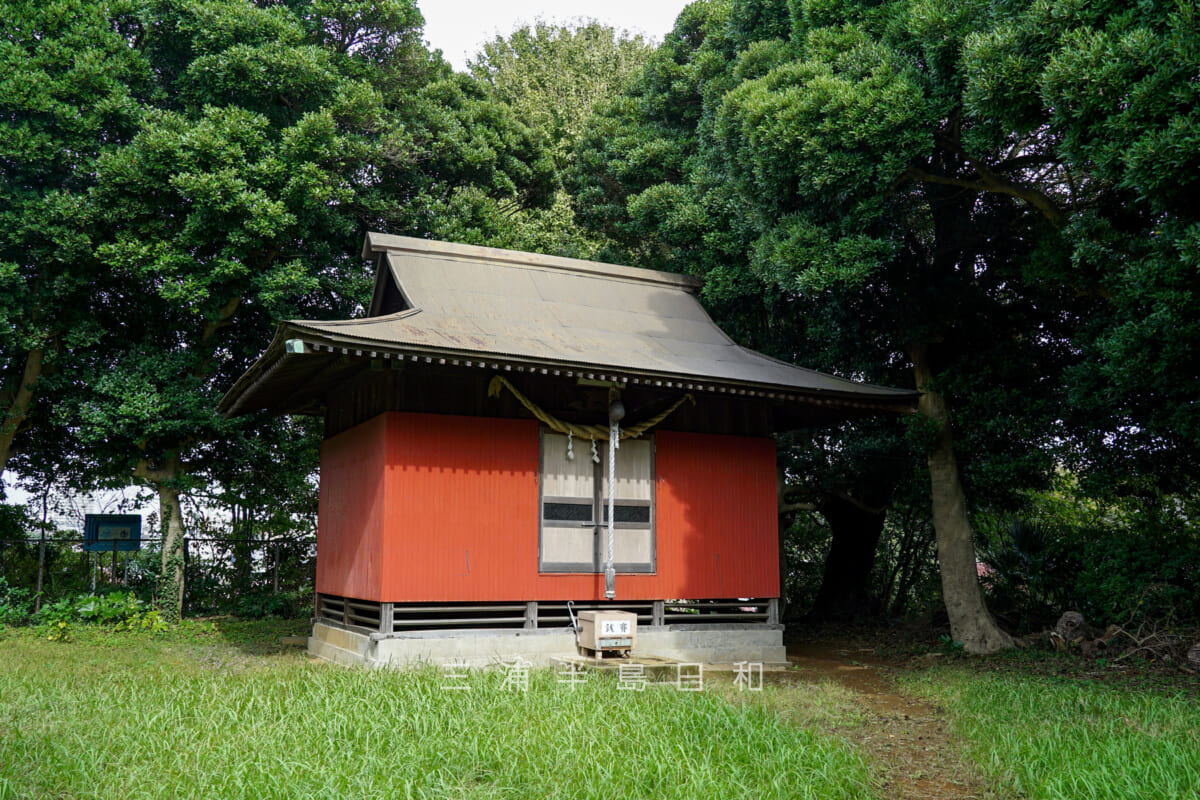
(970, 621)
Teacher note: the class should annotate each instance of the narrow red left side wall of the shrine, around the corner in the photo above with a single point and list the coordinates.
(351, 513)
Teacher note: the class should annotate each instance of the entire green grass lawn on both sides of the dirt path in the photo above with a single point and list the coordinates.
(221, 711)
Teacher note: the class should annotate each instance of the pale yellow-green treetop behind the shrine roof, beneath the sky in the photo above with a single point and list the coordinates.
(530, 93)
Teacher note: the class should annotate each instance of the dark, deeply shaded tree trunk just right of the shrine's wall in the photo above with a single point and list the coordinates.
(847, 585)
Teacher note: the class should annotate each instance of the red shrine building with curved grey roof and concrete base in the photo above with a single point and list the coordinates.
(470, 464)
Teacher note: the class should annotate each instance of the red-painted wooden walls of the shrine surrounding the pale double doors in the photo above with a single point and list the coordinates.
(460, 516)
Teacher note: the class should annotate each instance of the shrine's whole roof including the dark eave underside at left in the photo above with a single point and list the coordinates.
(533, 311)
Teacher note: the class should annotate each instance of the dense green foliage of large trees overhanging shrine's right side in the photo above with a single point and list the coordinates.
(999, 188)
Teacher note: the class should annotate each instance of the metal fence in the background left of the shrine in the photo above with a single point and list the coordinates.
(254, 578)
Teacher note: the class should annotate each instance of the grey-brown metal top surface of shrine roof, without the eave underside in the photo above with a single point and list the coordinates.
(482, 302)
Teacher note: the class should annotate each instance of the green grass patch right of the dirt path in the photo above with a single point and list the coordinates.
(1057, 739)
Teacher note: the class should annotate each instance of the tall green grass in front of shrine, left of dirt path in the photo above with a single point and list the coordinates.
(76, 721)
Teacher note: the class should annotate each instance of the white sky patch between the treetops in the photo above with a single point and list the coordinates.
(460, 28)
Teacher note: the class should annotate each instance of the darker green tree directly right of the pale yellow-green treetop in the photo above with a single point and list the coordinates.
(639, 178)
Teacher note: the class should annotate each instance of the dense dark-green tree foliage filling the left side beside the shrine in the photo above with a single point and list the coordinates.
(182, 176)
